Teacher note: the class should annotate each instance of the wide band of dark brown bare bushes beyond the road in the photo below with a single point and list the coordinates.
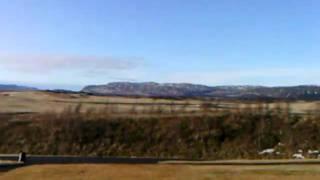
(223, 135)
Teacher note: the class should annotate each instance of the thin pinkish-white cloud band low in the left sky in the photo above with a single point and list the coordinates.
(39, 63)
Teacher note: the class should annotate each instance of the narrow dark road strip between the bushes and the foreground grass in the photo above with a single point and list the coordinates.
(39, 159)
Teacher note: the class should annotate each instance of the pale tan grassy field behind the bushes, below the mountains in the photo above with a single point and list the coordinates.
(38, 102)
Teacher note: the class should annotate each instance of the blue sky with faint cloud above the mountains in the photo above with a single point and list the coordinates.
(72, 43)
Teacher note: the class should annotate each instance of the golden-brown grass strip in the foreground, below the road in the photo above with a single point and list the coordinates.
(167, 172)
